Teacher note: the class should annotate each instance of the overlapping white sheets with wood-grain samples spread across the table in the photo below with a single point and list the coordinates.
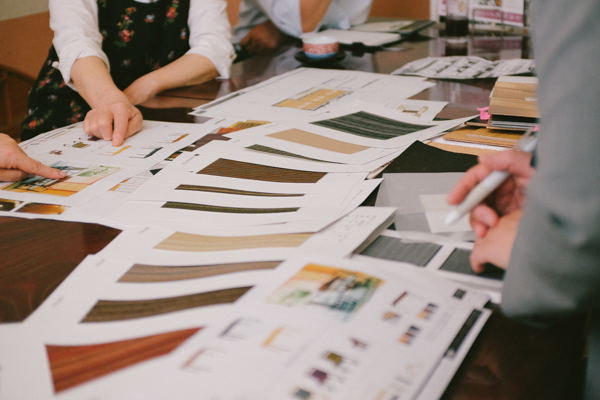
(209, 210)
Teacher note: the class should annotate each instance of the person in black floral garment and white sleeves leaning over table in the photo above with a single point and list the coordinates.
(109, 56)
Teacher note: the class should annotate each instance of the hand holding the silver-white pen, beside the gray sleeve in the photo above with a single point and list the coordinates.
(508, 197)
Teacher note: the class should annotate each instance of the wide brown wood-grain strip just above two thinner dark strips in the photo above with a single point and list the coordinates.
(243, 170)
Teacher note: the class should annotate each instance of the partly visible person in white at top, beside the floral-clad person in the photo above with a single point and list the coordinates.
(265, 25)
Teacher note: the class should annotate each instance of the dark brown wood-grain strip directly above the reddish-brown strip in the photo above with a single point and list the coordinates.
(108, 310)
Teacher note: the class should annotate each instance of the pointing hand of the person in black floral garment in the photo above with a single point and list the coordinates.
(114, 121)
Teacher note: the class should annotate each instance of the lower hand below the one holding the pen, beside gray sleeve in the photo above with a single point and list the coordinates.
(495, 247)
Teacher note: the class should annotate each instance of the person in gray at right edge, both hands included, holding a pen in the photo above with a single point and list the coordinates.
(543, 226)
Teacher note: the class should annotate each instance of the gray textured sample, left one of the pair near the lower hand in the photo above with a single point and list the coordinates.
(394, 249)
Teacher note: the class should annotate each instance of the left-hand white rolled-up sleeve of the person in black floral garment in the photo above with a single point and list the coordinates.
(76, 33)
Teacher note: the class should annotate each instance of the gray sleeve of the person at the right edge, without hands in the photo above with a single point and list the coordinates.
(555, 264)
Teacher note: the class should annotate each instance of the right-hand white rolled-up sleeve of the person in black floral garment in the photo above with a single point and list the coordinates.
(210, 33)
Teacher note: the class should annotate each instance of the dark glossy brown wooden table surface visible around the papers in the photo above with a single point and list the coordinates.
(507, 361)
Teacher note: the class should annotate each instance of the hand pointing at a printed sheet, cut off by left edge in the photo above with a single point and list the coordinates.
(15, 164)
